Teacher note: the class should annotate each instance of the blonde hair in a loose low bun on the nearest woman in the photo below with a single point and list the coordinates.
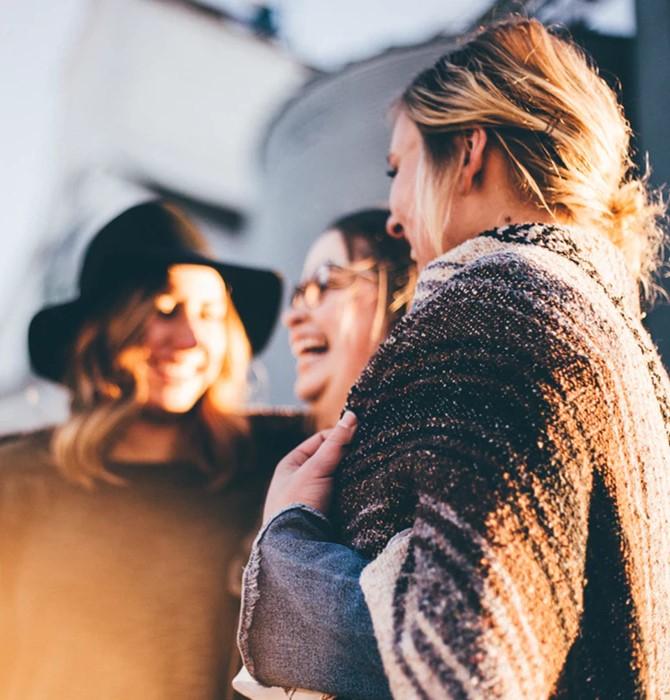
(559, 124)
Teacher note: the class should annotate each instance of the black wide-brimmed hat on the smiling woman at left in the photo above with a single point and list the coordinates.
(135, 250)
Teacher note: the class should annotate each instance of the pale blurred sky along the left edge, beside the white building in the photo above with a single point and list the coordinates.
(35, 41)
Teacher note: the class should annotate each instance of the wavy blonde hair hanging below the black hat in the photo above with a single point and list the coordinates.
(105, 398)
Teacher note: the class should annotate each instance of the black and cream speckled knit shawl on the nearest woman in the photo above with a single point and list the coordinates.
(516, 425)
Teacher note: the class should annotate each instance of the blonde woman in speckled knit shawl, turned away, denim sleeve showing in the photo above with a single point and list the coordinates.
(499, 525)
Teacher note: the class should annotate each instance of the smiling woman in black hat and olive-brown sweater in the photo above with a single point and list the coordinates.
(121, 530)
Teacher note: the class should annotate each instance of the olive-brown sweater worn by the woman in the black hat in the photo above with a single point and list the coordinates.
(125, 591)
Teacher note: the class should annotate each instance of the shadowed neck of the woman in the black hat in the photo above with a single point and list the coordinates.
(150, 439)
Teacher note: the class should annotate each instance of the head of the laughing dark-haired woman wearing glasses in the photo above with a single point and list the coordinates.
(357, 282)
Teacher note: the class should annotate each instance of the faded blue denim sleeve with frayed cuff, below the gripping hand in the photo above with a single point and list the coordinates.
(304, 621)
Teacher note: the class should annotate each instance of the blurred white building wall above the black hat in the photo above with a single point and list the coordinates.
(162, 92)
